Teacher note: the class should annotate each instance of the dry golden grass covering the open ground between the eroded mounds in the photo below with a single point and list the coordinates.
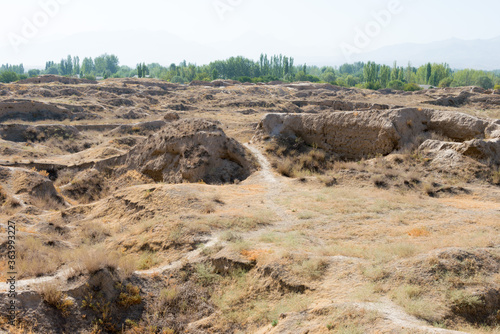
(376, 212)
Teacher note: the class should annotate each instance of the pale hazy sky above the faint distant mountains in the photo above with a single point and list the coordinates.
(322, 25)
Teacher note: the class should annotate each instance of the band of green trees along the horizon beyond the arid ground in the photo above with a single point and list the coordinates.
(267, 68)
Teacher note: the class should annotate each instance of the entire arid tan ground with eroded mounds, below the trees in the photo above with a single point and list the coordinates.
(142, 206)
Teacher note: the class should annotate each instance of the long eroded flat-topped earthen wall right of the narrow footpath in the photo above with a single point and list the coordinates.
(361, 134)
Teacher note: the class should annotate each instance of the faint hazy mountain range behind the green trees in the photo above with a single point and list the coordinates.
(133, 47)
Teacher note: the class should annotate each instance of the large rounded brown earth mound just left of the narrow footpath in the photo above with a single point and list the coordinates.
(191, 150)
